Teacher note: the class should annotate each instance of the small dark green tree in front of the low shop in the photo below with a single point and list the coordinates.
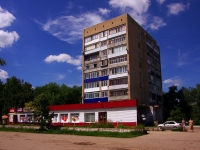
(41, 111)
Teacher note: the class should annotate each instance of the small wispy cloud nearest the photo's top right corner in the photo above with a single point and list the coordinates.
(176, 8)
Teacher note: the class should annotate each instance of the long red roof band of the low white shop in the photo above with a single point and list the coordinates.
(100, 105)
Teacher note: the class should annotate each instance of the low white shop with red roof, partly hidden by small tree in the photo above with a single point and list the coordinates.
(116, 112)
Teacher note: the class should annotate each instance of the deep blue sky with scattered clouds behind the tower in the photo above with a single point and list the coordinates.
(41, 41)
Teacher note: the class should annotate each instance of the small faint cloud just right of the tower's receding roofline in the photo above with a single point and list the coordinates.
(157, 23)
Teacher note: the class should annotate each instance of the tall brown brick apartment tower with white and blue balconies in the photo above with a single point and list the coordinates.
(121, 61)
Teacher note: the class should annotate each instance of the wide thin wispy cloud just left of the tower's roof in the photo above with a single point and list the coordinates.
(69, 28)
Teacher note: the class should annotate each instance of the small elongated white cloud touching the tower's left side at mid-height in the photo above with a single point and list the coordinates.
(64, 58)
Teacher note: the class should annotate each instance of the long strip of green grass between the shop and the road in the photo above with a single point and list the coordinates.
(74, 132)
